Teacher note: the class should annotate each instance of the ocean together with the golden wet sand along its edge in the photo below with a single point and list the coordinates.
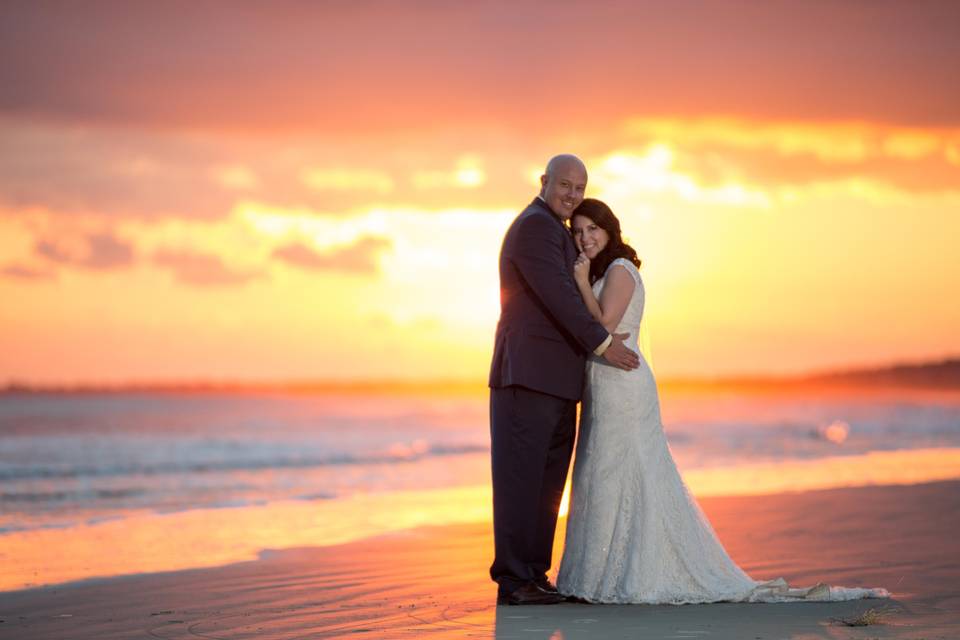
(171, 480)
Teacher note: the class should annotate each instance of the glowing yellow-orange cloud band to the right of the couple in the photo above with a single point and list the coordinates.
(777, 153)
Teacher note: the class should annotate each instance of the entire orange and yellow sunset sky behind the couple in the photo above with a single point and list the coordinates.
(297, 190)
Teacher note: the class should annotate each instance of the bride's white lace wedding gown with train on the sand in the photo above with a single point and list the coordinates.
(634, 532)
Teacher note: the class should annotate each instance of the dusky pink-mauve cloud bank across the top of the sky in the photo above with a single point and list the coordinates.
(190, 65)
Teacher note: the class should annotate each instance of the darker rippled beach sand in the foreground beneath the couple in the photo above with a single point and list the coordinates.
(431, 581)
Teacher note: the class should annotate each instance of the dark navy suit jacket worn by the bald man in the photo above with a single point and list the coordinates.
(545, 331)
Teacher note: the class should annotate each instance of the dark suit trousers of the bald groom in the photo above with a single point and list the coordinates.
(531, 436)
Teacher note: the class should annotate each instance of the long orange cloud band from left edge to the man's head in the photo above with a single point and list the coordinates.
(118, 174)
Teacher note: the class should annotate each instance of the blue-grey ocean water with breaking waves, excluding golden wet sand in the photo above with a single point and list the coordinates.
(74, 458)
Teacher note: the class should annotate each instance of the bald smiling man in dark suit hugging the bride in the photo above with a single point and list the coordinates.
(543, 337)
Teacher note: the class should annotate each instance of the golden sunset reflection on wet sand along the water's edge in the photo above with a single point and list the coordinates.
(145, 542)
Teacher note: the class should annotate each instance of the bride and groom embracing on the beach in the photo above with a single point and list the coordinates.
(571, 304)
